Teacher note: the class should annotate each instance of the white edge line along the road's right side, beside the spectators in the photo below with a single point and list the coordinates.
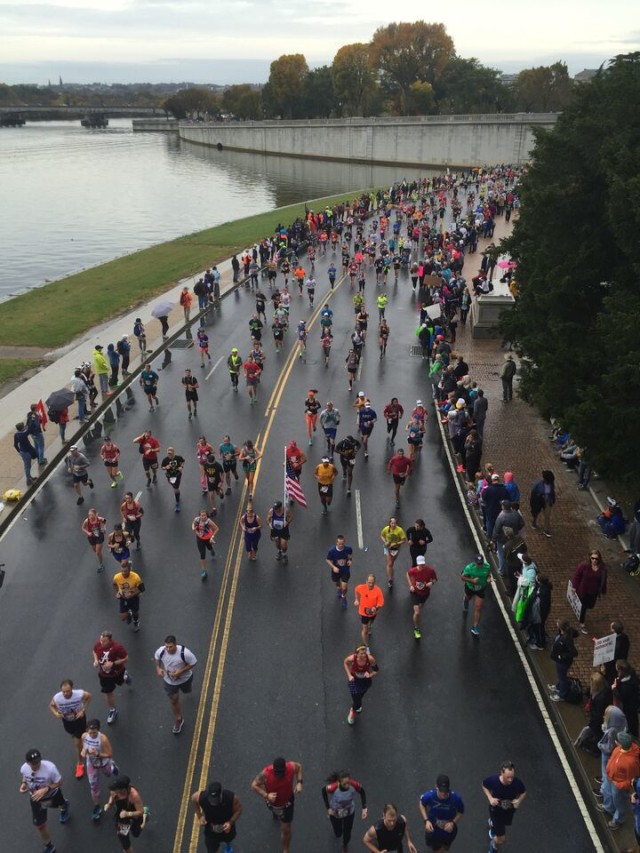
(582, 806)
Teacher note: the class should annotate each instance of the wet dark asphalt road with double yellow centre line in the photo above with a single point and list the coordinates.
(271, 638)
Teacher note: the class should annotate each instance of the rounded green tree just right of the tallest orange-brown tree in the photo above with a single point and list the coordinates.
(467, 86)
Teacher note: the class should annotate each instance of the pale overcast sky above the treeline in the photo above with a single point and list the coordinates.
(207, 41)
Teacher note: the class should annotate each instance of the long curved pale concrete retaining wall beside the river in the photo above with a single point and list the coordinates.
(454, 141)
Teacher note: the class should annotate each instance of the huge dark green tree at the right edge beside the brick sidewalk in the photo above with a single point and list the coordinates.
(577, 315)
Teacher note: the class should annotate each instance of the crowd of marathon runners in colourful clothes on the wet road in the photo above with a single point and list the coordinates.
(423, 231)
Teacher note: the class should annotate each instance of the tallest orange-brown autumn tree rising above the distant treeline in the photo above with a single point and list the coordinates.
(405, 54)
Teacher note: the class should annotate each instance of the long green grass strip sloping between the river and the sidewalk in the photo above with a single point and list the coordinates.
(57, 313)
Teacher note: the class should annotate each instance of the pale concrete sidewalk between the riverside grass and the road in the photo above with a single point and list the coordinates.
(58, 373)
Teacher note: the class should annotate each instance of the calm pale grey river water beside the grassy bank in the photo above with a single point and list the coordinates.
(73, 198)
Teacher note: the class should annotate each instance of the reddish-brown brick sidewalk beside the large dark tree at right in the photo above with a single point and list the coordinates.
(516, 439)
